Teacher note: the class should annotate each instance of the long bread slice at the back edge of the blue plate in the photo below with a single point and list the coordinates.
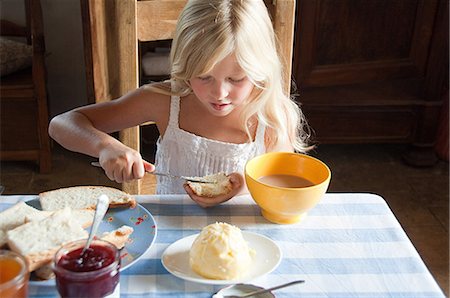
(84, 197)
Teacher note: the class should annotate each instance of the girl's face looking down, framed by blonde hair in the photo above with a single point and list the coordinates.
(224, 88)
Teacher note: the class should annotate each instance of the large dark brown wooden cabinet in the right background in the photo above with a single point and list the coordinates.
(373, 70)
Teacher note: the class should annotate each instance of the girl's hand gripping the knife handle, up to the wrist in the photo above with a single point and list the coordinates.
(123, 164)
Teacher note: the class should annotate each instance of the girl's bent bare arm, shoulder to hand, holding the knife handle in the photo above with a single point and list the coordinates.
(86, 130)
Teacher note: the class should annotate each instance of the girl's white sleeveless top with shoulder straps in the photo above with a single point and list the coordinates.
(183, 153)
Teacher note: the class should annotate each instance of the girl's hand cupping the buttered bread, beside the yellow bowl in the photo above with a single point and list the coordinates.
(237, 183)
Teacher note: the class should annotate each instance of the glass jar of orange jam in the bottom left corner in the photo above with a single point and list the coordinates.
(13, 275)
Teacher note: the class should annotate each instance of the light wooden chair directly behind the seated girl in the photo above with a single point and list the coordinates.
(113, 30)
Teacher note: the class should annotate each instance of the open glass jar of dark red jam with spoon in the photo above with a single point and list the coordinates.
(95, 273)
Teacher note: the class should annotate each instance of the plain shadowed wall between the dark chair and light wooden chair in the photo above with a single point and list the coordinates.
(66, 80)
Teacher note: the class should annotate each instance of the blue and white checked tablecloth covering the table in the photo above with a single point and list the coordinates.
(349, 245)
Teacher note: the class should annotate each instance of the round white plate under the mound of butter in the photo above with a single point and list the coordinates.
(267, 257)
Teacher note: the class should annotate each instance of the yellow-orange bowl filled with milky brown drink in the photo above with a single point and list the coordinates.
(289, 203)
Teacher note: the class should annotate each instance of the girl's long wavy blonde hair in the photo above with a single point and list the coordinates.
(210, 30)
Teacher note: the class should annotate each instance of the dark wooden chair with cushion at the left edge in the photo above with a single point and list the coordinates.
(23, 96)
